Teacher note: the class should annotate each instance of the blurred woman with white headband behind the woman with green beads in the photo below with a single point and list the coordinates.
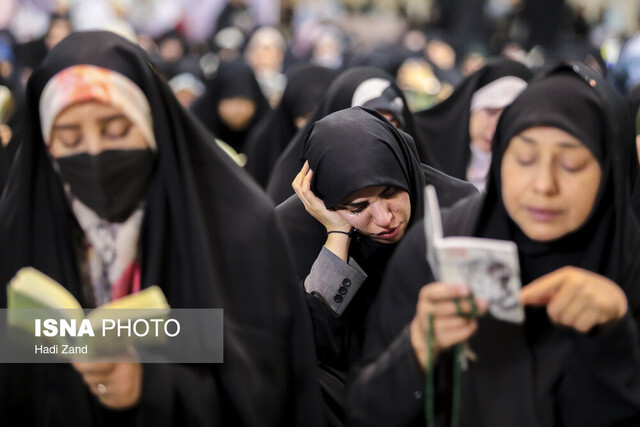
(457, 133)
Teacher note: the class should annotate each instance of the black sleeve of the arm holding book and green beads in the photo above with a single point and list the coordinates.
(388, 385)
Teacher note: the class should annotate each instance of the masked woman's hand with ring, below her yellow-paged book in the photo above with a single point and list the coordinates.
(116, 385)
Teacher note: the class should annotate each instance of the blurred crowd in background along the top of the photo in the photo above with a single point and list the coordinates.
(428, 45)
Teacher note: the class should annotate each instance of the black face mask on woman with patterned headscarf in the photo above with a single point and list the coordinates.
(111, 183)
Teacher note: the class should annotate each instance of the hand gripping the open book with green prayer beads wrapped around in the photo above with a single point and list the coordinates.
(438, 299)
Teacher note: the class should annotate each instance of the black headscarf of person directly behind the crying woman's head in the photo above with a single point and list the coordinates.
(338, 97)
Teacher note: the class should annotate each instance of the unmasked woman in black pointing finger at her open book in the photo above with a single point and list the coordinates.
(559, 189)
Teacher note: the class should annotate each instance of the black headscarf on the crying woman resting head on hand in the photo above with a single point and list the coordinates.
(350, 150)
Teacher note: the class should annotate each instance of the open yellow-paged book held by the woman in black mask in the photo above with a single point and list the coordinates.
(34, 298)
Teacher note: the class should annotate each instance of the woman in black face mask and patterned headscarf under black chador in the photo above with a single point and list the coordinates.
(116, 188)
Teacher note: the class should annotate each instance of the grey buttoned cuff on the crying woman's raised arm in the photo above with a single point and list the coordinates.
(334, 280)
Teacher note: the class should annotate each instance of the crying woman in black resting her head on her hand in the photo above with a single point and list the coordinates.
(356, 196)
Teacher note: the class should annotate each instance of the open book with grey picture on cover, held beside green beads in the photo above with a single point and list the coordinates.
(489, 267)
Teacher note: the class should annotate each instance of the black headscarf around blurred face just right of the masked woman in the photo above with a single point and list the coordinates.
(233, 79)
